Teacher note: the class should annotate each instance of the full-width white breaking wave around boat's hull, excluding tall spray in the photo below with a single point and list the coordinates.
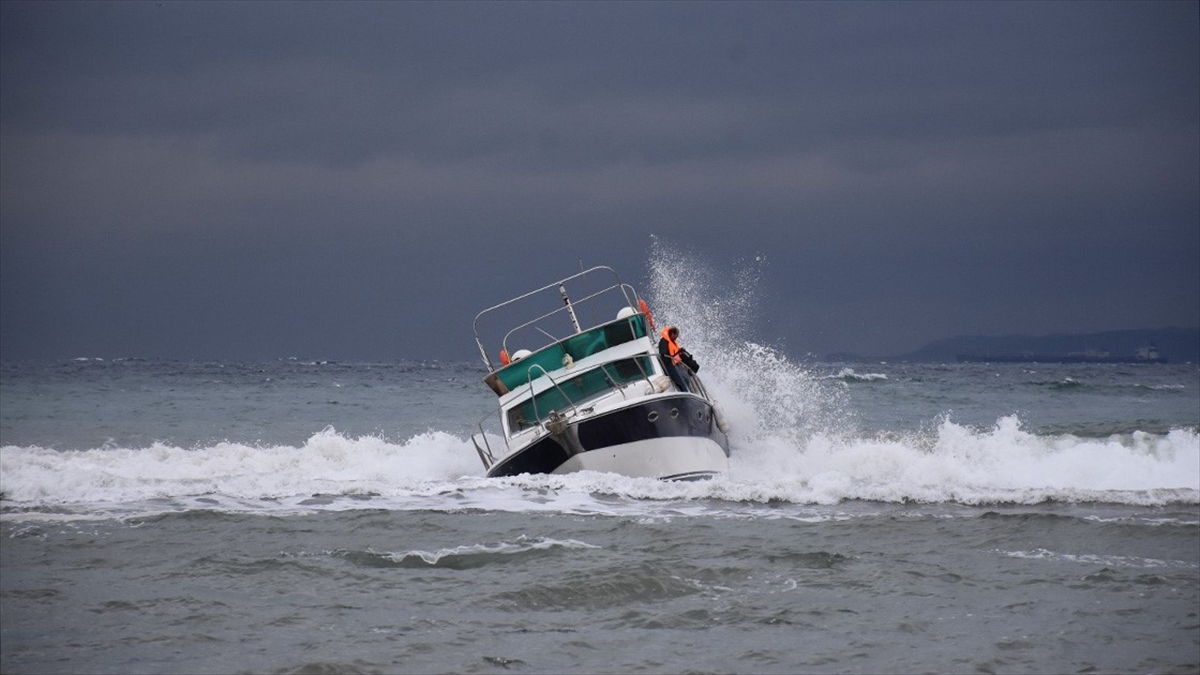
(951, 464)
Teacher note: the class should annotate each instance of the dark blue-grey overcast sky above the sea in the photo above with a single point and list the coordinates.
(257, 181)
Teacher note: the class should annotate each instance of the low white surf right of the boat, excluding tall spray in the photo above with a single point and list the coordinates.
(958, 464)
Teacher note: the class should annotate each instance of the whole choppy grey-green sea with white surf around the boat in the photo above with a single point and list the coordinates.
(309, 517)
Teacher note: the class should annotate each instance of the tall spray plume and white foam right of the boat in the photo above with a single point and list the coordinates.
(795, 437)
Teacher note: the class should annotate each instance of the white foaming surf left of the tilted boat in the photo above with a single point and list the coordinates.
(328, 463)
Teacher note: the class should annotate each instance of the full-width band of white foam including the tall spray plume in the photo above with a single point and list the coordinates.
(791, 438)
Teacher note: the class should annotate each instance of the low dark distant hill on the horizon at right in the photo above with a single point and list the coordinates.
(1177, 345)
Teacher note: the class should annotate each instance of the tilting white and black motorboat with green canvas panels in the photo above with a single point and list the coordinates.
(592, 397)
